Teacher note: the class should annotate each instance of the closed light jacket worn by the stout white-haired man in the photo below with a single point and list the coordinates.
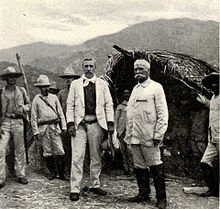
(147, 114)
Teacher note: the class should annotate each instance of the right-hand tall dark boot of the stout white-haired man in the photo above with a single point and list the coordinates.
(159, 184)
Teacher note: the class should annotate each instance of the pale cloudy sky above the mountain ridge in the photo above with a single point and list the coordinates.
(75, 21)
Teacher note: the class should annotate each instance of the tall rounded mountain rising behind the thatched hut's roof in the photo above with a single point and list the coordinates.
(192, 37)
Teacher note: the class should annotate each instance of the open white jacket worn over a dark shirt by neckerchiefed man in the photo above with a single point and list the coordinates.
(76, 103)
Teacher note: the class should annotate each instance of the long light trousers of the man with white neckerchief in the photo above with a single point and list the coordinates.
(94, 134)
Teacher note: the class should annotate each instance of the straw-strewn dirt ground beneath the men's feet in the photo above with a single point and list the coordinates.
(43, 194)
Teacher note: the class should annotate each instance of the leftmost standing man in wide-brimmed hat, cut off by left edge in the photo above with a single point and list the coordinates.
(14, 105)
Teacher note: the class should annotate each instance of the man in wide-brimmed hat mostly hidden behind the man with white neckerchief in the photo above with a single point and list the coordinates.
(68, 76)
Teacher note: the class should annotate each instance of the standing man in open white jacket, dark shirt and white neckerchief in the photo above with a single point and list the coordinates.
(89, 113)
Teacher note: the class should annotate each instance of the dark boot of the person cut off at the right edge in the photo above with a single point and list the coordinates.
(210, 178)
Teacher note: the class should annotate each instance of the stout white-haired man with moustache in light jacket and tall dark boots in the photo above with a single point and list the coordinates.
(147, 121)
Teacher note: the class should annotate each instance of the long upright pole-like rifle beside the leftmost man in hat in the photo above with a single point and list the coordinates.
(26, 118)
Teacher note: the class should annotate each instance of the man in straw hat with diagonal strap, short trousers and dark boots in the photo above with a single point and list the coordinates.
(46, 117)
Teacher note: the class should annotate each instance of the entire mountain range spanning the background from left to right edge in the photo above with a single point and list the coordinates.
(193, 37)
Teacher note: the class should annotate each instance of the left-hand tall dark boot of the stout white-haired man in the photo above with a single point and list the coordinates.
(143, 182)
